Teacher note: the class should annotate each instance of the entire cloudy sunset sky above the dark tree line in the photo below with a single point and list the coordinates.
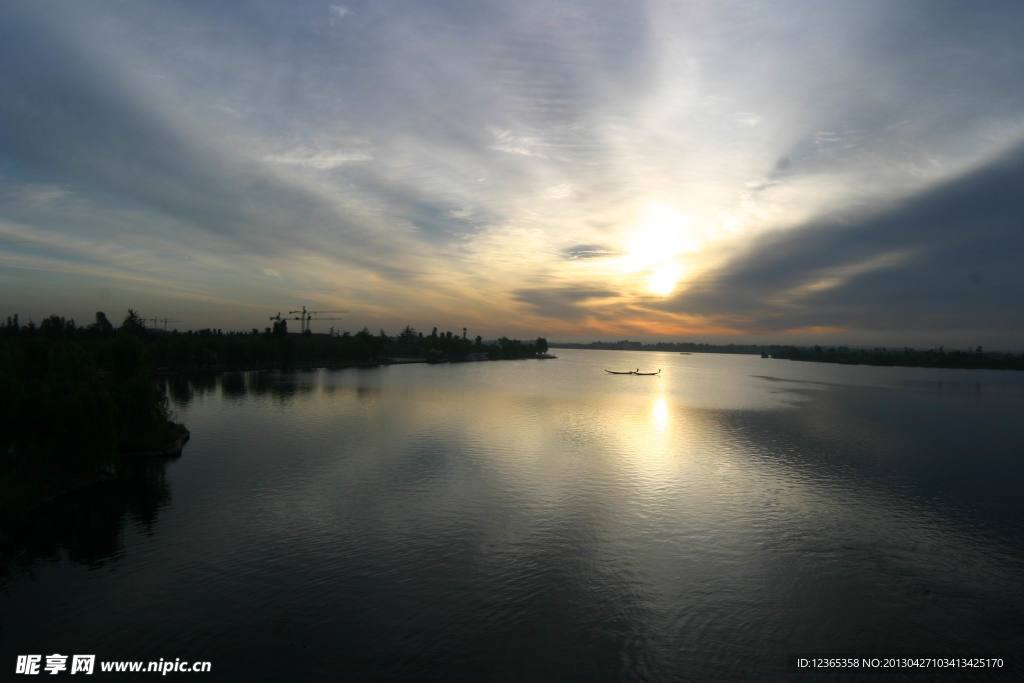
(781, 172)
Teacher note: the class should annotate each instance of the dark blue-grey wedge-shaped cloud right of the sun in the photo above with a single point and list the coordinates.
(944, 263)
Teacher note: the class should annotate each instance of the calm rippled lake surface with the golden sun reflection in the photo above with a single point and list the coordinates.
(528, 521)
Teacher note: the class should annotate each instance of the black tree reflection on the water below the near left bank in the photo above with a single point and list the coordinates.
(88, 527)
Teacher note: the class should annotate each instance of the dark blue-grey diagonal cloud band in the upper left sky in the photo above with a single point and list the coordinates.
(81, 127)
